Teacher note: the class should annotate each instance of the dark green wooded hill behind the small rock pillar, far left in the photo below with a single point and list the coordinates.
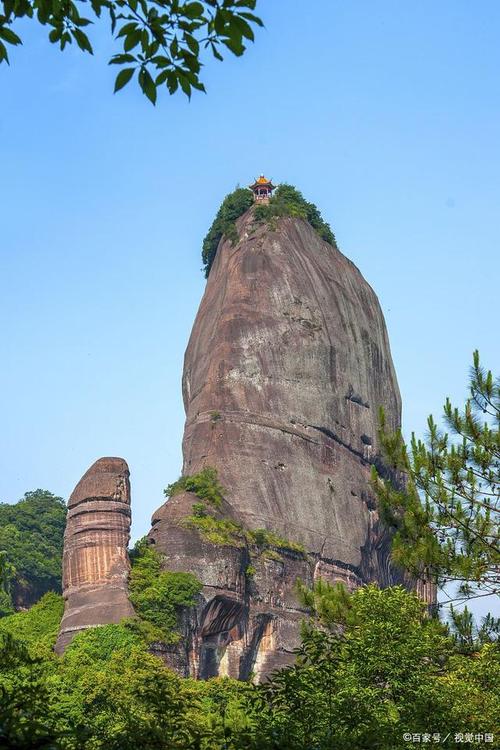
(31, 544)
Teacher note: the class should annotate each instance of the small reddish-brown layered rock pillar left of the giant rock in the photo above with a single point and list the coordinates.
(95, 560)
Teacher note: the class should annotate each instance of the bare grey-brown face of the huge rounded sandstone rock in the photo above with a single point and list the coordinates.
(286, 367)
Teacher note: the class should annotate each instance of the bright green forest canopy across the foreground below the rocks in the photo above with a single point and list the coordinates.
(372, 667)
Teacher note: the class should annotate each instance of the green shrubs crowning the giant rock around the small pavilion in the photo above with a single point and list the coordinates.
(286, 201)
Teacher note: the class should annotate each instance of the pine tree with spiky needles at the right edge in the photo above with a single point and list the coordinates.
(442, 497)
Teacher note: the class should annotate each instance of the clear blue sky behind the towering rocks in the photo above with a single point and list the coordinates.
(385, 114)
